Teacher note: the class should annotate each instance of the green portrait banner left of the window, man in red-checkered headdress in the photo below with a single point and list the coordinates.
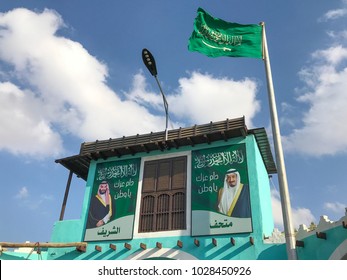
(112, 206)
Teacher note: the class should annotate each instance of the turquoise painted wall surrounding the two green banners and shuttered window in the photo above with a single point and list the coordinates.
(182, 244)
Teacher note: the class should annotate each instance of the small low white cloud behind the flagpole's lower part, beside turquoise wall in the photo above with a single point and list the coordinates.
(299, 215)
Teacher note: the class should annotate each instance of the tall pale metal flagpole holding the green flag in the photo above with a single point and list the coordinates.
(282, 176)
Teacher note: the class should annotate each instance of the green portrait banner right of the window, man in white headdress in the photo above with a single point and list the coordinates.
(220, 191)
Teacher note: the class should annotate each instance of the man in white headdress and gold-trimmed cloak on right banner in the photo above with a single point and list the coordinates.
(233, 198)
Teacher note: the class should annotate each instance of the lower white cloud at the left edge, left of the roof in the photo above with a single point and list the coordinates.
(23, 129)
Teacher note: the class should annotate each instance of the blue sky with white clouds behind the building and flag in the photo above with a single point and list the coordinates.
(71, 71)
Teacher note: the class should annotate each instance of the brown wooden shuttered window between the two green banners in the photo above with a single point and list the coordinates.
(163, 202)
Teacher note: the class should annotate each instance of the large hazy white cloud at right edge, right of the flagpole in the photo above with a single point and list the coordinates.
(324, 131)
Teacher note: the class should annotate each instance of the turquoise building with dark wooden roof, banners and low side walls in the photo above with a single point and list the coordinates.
(164, 191)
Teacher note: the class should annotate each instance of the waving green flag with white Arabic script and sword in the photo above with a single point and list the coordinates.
(215, 37)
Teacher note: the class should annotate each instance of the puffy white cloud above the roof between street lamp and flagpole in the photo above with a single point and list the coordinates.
(204, 98)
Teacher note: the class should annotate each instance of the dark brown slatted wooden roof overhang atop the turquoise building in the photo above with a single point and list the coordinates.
(176, 138)
